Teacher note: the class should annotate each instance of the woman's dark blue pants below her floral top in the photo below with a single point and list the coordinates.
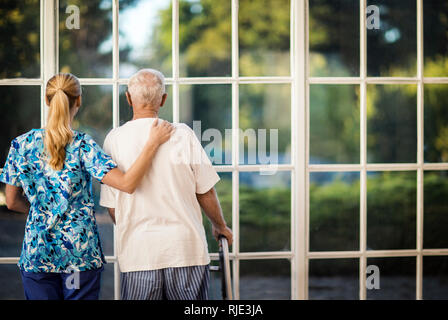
(62, 286)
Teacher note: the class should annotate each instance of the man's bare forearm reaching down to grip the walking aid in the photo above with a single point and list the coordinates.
(210, 204)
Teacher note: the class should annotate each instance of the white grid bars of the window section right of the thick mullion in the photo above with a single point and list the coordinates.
(419, 167)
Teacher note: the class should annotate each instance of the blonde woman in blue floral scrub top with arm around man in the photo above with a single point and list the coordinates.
(54, 168)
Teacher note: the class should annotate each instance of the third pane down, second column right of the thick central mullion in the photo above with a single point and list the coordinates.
(391, 210)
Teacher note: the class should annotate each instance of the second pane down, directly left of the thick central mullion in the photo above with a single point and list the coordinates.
(265, 110)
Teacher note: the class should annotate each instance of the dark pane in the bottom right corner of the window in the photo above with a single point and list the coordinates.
(435, 278)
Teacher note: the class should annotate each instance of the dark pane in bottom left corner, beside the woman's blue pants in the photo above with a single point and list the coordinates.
(11, 287)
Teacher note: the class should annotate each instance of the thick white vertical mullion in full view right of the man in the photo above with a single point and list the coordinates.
(300, 138)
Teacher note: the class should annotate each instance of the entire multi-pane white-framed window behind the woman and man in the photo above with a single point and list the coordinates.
(360, 113)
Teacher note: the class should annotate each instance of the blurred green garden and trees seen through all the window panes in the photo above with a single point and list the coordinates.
(264, 37)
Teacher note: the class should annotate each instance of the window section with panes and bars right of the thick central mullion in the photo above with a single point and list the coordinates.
(376, 161)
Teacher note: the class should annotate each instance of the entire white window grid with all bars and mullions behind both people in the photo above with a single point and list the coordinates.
(300, 169)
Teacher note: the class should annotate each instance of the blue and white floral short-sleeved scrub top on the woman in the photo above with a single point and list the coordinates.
(61, 234)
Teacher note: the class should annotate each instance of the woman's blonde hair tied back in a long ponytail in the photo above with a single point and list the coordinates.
(62, 91)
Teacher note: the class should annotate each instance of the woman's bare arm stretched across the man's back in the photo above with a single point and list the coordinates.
(129, 181)
